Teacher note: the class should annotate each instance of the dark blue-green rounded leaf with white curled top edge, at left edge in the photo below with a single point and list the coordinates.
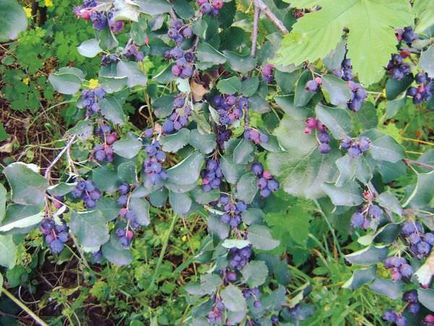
(27, 185)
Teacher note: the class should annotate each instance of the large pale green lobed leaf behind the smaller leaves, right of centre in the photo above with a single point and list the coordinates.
(302, 169)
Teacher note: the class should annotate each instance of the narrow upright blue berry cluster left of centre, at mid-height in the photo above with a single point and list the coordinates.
(153, 165)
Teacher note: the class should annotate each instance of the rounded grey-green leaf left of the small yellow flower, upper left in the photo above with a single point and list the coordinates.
(66, 80)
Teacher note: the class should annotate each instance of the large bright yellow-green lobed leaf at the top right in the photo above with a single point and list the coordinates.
(371, 37)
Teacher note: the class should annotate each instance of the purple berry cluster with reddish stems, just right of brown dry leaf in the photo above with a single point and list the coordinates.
(230, 108)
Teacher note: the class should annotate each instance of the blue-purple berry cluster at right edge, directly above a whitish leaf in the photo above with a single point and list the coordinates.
(420, 242)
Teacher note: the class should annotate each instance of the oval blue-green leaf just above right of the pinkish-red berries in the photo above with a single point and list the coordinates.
(337, 120)
